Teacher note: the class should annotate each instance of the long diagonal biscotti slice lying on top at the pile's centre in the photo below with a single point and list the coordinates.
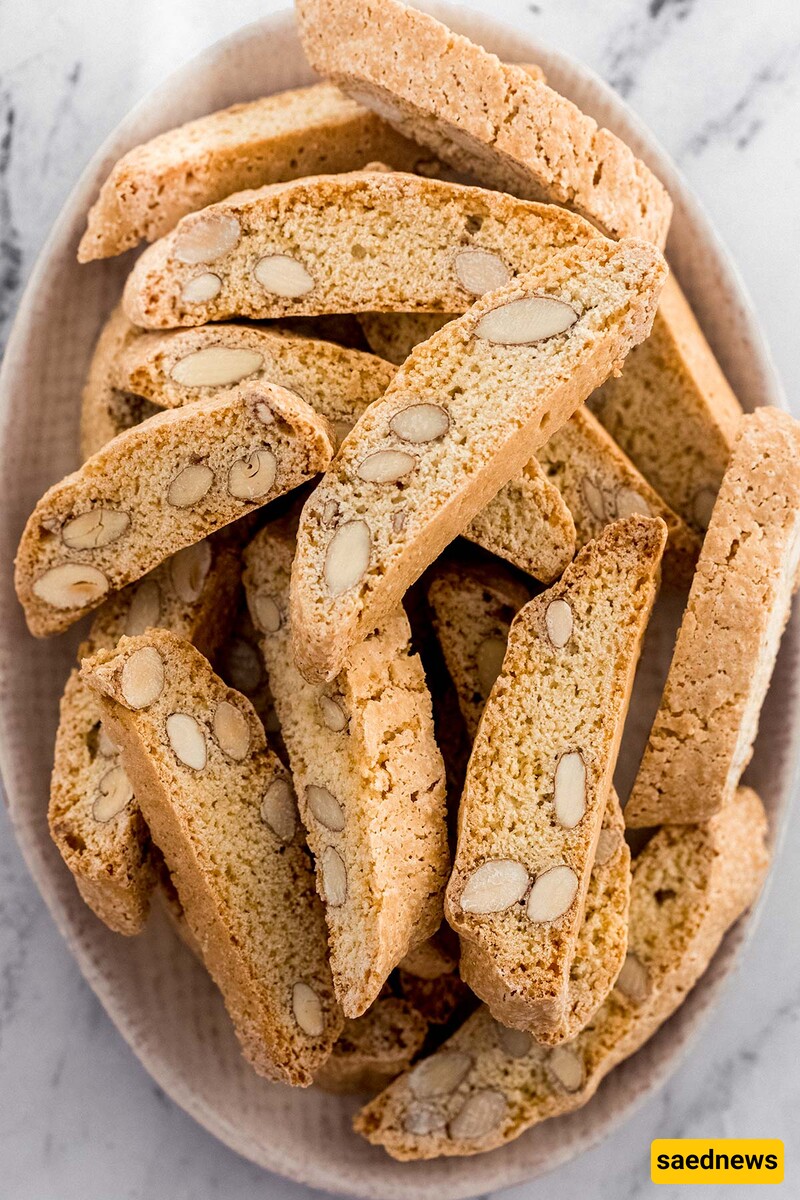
(461, 418)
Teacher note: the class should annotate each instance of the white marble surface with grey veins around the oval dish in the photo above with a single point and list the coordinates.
(720, 86)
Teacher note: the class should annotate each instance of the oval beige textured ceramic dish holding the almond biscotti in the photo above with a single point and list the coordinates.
(153, 989)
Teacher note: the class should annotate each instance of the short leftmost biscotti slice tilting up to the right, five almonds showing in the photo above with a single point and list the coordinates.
(158, 489)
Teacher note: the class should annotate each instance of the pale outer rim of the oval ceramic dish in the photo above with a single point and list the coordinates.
(471, 1180)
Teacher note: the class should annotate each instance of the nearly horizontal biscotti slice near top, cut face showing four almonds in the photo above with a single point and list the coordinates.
(363, 242)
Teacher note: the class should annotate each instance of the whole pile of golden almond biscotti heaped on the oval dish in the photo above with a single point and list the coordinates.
(395, 433)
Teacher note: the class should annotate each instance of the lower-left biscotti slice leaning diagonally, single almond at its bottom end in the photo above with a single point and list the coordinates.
(221, 808)
